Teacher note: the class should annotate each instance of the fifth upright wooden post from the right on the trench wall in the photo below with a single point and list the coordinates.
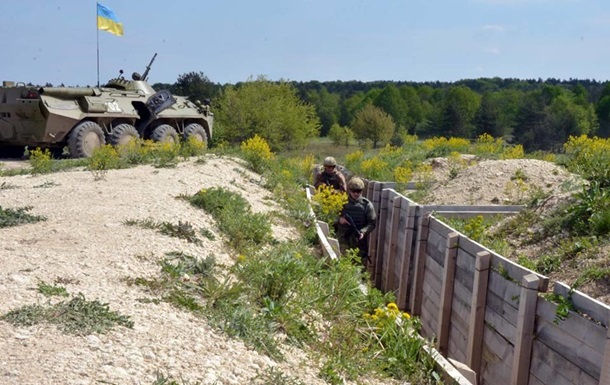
(408, 213)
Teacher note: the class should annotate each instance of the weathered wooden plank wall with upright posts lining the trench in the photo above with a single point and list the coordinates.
(481, 308)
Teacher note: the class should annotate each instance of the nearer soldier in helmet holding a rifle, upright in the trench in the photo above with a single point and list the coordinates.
(357, 220)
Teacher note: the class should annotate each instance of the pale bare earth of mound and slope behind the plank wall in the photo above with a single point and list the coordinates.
(496, 182)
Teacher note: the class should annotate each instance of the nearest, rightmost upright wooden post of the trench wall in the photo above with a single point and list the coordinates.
(525, 329)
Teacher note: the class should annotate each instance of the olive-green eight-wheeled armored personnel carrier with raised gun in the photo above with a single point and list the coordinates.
(85, 118)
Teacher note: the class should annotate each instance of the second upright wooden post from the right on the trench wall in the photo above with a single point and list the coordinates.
(477, 311)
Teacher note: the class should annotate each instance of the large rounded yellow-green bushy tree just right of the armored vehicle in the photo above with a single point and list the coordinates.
(270, 109)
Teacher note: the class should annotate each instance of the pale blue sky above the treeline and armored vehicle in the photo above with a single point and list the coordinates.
(230, 41)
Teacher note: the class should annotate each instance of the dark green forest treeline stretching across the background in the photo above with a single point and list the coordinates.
(538, 114)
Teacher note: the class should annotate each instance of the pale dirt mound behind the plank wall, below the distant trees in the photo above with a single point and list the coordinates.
(498, 182)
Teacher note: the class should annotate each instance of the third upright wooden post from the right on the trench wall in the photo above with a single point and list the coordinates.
(447, 292)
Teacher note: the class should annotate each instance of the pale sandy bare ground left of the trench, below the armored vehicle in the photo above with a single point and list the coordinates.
(85, 245)
